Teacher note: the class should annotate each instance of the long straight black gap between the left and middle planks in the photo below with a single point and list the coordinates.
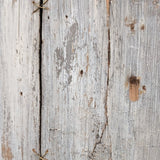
(40, 75)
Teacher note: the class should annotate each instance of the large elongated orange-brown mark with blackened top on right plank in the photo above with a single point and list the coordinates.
(134, 88)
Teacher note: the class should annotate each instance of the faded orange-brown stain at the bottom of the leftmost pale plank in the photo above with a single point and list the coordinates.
(6, 152)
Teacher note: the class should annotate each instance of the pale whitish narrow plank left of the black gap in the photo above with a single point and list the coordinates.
(19, 80)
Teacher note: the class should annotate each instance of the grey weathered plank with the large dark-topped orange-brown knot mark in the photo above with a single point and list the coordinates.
(134, 120)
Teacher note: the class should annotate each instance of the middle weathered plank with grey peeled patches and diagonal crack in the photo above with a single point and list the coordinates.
(74, 80)
